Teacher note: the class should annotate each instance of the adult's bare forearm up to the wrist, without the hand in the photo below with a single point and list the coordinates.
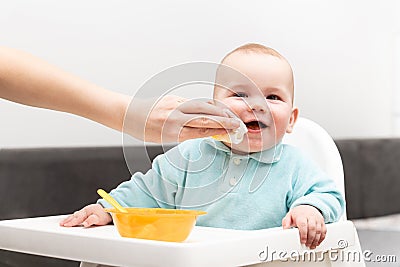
(28, 80)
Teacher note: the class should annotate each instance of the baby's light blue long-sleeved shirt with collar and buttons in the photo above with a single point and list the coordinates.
(252, 191)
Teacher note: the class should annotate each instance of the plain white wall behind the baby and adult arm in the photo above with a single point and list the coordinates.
(341, 51)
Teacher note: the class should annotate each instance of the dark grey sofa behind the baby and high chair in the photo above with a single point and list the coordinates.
(52, 181)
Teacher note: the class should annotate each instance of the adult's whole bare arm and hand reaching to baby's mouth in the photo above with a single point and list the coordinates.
(28, 80)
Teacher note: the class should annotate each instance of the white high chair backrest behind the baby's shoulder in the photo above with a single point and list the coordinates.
(313, 140)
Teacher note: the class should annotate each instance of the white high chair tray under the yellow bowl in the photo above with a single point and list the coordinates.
(204, 247)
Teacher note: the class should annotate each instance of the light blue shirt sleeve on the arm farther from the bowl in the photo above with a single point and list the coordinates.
(312, 186)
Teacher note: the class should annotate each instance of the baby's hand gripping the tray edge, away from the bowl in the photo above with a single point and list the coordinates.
(310, 223)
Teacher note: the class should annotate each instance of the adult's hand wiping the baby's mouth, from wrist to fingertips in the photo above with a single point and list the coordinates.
(175, 119)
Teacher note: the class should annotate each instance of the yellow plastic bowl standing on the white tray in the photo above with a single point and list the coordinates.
(155, 223)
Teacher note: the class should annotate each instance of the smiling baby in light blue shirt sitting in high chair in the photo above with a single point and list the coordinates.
(253, 184)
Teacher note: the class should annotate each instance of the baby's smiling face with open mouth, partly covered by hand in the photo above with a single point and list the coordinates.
(263, 100)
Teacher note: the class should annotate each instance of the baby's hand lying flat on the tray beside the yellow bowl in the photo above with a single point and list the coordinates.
(92, 214)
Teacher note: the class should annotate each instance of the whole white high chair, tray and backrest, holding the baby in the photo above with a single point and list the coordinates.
(205, 246)
